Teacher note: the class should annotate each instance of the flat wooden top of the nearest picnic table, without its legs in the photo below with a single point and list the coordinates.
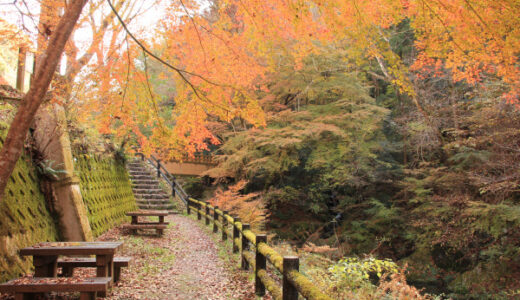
(72, 248)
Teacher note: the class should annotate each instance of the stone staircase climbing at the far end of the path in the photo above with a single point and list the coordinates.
(148, 193)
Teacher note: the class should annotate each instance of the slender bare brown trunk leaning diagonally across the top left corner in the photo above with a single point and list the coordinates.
(14, 141)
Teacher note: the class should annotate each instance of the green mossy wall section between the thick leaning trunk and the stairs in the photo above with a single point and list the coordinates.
(106, 190)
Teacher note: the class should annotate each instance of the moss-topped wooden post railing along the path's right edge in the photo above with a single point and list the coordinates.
(255, 253)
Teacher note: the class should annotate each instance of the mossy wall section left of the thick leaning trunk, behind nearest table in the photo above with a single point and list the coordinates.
(24, 218)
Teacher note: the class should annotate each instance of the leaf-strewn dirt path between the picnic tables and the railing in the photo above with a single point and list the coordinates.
(183, 264)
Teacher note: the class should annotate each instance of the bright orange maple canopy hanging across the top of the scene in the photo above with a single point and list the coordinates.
(226, 52)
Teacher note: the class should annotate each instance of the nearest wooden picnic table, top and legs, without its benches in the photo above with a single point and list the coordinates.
(45, 256)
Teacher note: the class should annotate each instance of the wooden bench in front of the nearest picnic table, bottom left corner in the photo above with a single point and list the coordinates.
(29, 288)
